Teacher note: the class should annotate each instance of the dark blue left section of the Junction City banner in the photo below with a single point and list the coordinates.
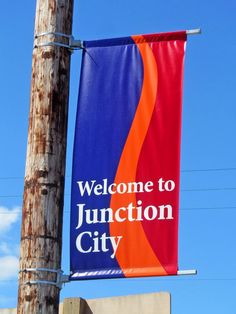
(104, 117)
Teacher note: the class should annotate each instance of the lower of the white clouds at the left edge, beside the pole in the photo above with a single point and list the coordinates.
(8, 267)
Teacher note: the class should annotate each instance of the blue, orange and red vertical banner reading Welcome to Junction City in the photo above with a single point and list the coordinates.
(126, 162)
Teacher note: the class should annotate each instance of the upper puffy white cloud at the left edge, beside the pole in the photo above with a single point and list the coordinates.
(8, 218)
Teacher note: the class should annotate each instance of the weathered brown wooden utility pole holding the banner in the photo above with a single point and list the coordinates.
(41, 233)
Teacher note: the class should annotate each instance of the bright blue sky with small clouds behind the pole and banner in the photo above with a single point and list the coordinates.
(207, 230)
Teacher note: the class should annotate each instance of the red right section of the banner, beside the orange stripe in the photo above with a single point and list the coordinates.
(161, 149)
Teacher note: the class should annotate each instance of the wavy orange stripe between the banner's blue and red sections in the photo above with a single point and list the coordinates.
(134, 253)
